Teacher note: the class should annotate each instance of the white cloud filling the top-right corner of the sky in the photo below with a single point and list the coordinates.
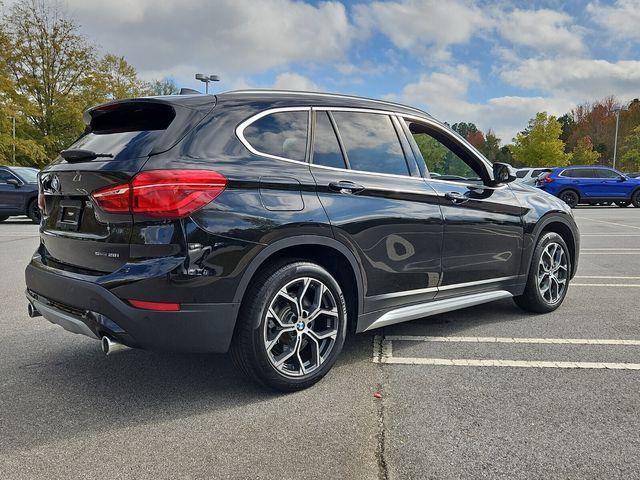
(620, 19)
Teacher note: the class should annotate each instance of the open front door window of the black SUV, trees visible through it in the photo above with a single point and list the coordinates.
(445, 159)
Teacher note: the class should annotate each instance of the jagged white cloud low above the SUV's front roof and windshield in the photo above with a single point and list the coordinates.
(444, 95)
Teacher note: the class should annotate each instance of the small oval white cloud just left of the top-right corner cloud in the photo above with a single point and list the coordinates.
(544, 30)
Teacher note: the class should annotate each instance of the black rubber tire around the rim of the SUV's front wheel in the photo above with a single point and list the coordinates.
(533, 300)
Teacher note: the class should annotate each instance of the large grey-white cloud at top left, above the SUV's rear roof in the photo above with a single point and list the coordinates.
(220, 36)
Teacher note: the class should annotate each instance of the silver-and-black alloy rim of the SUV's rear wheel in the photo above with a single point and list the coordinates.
(301, 327)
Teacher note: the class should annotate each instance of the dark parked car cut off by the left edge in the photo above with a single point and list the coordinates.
(19, 193)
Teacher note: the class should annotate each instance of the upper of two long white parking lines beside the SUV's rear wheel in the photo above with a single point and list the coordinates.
(561, 341)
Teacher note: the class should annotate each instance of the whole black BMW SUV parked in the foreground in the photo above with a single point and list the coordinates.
(271, 223)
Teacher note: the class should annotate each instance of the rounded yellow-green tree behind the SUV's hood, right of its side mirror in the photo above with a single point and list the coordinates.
(540, 144)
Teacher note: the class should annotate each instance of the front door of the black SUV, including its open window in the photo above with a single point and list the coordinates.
(483, 227)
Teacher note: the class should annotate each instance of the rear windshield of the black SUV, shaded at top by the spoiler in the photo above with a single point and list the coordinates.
(126, 130)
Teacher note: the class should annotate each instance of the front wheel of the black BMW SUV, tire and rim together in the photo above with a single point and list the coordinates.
(548, 277)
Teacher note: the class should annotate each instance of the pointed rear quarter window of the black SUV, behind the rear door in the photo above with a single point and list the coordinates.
(283, 134)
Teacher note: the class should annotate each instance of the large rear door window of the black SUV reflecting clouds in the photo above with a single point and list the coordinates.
(371, 143)
